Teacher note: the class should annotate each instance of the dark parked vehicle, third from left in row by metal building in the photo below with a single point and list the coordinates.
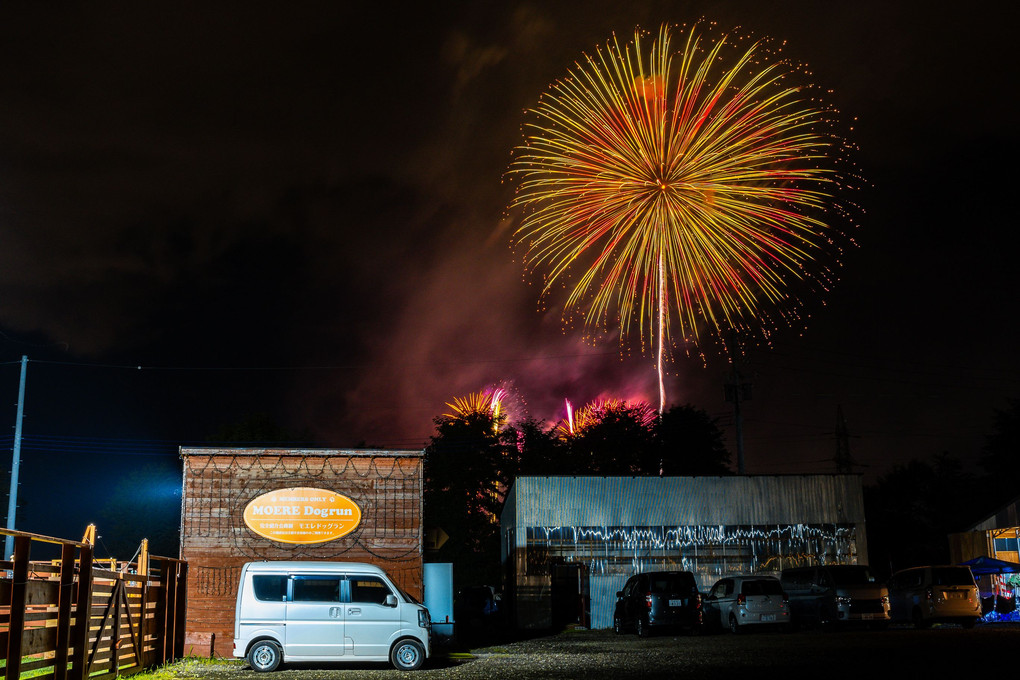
(836, 595)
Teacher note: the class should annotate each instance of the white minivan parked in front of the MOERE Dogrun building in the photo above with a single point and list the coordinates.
(327, 611)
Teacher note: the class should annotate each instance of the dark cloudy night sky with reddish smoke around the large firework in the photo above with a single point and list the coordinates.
(298, 210)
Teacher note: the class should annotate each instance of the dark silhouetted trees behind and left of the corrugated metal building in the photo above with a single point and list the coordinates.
(475, 456)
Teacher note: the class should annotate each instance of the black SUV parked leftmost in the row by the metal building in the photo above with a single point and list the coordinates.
(658, 600)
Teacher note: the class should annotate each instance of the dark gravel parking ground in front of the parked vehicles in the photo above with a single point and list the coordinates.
(991, 651)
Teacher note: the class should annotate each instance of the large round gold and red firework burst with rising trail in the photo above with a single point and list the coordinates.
(681, 192)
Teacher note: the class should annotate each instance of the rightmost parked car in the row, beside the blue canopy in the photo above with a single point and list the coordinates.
(926, 596)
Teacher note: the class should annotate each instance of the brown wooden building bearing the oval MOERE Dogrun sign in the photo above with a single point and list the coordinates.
(249, 505)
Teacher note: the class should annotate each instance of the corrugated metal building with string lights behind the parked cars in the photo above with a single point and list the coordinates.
(570, 544)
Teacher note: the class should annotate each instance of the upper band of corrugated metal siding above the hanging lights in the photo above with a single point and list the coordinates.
(686, 501)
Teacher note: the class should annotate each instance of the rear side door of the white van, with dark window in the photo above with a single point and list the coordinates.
(316, 617)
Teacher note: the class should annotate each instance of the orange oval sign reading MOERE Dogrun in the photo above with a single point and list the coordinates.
(302, 515)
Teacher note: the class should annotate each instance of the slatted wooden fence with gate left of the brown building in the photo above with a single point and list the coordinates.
(134, 615)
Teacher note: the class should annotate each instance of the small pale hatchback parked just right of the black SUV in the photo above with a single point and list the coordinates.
(740, 602)
